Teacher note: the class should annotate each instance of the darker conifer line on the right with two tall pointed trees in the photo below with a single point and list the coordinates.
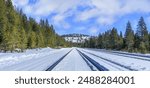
(137, 41)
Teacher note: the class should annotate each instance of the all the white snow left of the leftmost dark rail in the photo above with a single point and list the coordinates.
(31, 60)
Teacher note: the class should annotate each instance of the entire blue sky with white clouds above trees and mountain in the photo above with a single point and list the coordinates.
(87, 16)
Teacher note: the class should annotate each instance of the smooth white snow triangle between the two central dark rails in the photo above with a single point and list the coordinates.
(72, 62)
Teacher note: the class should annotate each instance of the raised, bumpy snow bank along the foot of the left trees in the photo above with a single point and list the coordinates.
(7, 59)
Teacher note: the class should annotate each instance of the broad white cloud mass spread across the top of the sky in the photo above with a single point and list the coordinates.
(104, 11)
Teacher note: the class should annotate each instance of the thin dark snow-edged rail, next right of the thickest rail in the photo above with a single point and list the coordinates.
(112, 62)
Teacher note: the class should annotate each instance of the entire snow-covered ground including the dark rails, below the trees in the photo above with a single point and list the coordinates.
(72, 59)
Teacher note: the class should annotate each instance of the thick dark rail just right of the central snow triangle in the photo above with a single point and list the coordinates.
(93, 62)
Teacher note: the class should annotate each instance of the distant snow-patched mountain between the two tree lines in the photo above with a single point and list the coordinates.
(76, 38)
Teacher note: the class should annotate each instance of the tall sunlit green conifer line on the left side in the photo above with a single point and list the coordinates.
(19, 31)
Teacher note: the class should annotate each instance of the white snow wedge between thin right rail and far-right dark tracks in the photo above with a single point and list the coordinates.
(129, 62)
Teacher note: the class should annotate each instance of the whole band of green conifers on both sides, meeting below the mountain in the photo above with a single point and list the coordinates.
(17, 31)
